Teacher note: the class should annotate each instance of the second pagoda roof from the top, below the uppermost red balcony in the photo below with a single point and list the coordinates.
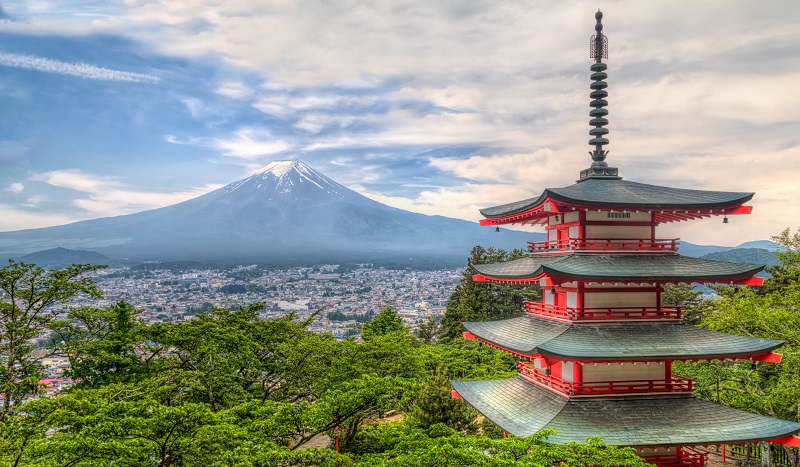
(623, 268)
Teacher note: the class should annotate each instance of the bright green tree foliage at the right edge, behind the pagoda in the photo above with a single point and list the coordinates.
(771, 312)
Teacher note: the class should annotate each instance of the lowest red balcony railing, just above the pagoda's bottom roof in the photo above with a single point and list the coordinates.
(543, 379)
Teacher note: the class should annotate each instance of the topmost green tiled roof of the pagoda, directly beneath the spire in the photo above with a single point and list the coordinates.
(622, 193)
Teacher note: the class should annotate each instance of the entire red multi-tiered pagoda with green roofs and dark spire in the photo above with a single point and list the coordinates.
(595, 354)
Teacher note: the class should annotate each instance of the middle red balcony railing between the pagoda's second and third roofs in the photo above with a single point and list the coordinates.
(563, 313)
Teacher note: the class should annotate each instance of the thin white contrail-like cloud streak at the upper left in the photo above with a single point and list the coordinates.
(79, 70)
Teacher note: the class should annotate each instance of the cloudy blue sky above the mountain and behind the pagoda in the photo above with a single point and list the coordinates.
(443, 107)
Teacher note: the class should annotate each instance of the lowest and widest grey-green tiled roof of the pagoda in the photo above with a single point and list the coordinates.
(522, 409)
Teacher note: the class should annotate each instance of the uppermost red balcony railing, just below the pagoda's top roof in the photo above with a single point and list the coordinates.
(618, 245)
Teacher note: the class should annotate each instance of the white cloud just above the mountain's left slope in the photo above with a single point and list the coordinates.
(107, 196)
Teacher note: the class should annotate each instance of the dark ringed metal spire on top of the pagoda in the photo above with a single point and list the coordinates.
(598, 49)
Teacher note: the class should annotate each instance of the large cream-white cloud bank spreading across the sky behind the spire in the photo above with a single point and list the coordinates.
(708, 102)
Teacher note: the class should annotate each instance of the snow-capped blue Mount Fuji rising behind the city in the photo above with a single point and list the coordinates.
(287, 212)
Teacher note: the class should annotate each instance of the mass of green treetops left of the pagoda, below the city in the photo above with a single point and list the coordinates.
(230, 388)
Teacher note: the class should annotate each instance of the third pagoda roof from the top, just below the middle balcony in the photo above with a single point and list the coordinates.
(640, 341)
